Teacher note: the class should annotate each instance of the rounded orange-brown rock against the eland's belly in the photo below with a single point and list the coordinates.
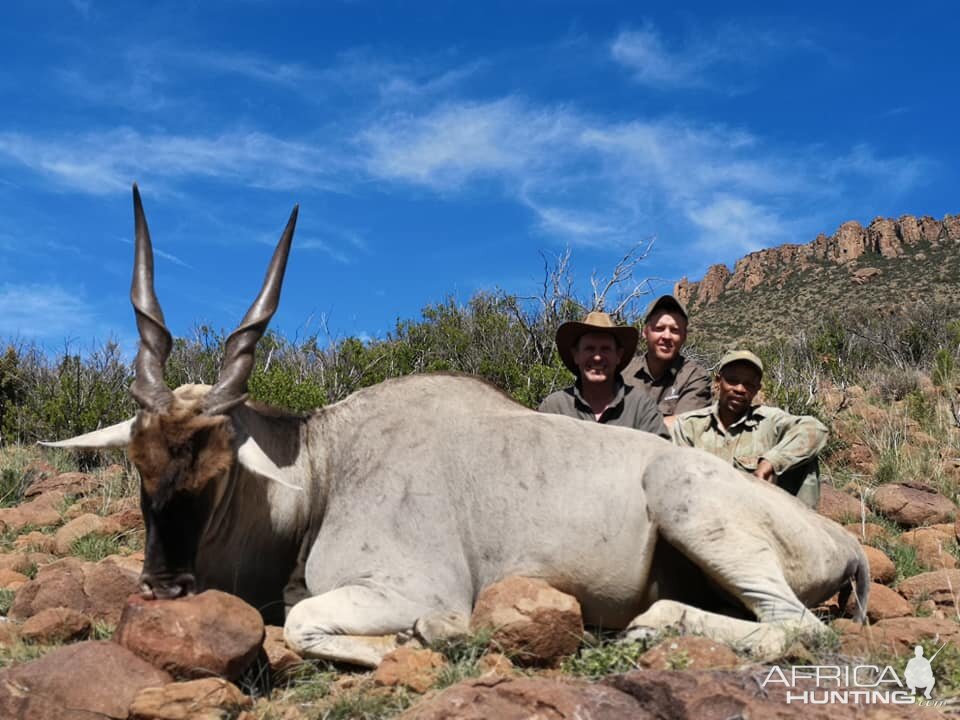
(530, 620)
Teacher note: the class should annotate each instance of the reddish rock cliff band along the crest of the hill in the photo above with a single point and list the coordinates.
(883, 237)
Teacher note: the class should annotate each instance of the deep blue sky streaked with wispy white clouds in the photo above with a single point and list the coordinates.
(440, 148)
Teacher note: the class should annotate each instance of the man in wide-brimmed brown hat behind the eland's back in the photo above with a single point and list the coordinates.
(596, 350)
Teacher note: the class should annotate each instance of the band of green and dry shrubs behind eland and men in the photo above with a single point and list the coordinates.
(500, 337)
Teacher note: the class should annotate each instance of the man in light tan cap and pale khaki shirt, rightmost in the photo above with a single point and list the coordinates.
(767, 442)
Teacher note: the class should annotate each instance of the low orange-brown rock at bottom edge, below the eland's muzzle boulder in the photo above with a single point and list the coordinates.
(206, 699)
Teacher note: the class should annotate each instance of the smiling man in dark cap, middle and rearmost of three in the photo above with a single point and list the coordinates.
(674, 383)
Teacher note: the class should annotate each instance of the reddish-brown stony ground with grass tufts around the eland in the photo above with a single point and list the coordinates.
(76, 641)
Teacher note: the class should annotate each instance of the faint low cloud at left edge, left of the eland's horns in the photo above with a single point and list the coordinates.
(42, 311)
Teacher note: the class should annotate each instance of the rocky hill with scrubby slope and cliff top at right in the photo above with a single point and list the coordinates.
(887, 265)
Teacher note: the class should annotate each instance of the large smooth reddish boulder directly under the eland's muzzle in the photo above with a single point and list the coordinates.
(212, 633)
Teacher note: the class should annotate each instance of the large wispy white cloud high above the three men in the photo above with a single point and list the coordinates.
(590, 180)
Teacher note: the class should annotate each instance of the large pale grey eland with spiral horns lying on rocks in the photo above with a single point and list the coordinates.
(393, 509)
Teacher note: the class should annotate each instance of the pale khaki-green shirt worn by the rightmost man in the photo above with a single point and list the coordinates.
(763, 433)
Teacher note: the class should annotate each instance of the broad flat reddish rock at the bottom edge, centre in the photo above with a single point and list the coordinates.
(526, 699)
